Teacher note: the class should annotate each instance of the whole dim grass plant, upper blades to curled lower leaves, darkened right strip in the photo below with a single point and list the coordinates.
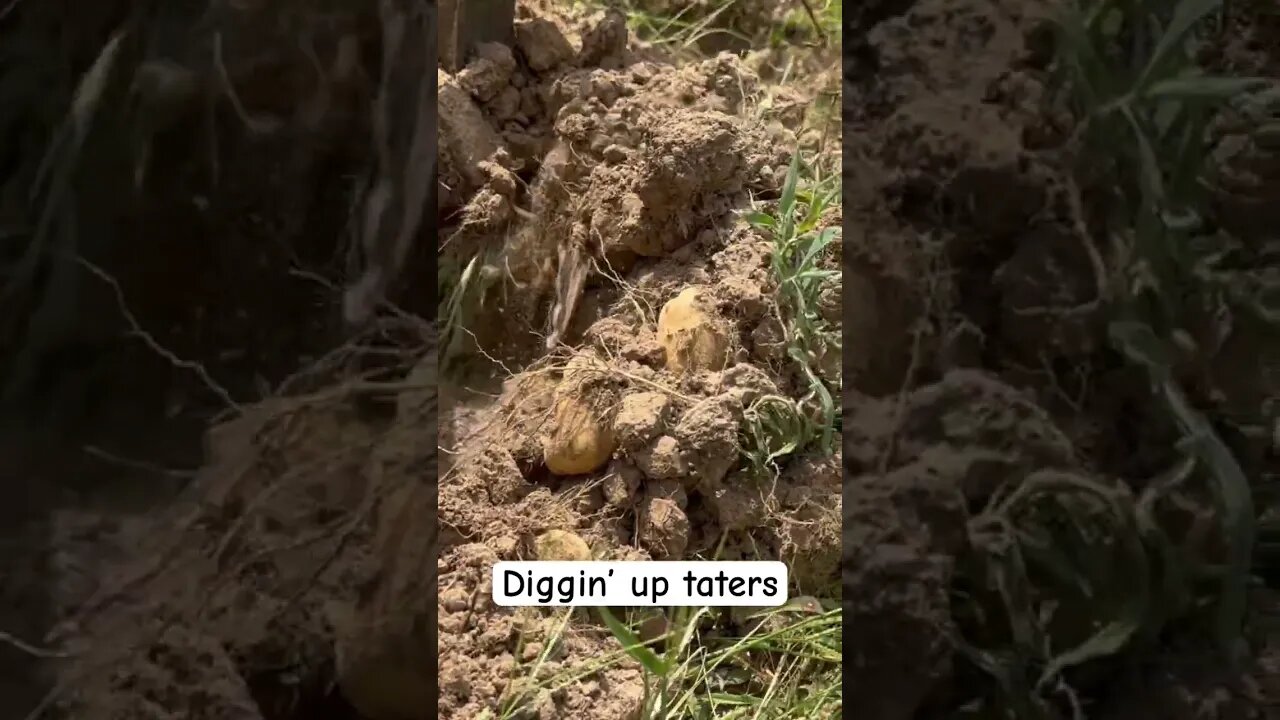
(1073, 569)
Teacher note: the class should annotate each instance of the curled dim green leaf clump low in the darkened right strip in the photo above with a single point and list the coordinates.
(1066, 560)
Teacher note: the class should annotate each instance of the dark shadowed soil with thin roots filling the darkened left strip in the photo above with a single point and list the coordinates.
(203, 467)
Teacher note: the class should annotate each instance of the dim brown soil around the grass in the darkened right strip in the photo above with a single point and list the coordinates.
(977, 356)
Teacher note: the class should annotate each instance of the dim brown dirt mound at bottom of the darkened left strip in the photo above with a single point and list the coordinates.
(292, 566)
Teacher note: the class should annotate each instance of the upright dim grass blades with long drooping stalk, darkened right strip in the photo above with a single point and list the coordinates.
(1148, 107)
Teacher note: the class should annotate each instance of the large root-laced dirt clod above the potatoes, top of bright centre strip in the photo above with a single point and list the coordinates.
(624, 163)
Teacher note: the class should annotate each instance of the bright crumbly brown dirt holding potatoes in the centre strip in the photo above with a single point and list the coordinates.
(633, 266)
